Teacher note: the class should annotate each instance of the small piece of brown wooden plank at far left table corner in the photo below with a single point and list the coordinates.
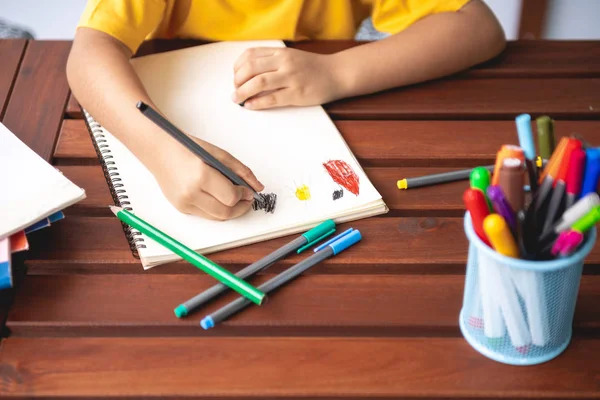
(11, 53)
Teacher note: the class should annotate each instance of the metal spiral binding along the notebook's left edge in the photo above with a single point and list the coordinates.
(114, 181)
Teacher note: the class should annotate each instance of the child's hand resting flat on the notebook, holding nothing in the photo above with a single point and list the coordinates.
(267, 77)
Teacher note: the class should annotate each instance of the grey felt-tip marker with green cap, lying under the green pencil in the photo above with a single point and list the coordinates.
(299, 244)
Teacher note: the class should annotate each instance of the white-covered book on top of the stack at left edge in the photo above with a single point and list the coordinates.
(37, 189)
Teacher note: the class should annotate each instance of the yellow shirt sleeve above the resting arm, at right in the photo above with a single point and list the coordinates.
(393, 16)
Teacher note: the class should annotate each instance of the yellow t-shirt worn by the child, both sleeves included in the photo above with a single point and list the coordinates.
(132, 21)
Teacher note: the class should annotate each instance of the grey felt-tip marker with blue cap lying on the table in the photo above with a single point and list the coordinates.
(334, 246)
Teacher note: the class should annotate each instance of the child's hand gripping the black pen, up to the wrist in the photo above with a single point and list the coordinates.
(193, 187)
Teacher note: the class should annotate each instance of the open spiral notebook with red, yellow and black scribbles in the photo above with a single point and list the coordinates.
(297, 153)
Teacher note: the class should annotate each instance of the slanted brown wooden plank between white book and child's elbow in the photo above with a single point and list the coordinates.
(36, 107)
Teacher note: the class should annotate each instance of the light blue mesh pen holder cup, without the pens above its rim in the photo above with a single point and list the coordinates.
(517, 311)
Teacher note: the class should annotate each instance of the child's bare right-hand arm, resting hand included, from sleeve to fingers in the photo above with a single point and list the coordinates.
(435, 46)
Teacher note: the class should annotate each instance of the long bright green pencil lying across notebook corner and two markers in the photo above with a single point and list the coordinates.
(206, 265)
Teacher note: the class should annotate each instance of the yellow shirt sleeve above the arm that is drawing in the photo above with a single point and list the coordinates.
(129, 21)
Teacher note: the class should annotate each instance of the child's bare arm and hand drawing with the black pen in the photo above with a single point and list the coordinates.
(106, 85)
